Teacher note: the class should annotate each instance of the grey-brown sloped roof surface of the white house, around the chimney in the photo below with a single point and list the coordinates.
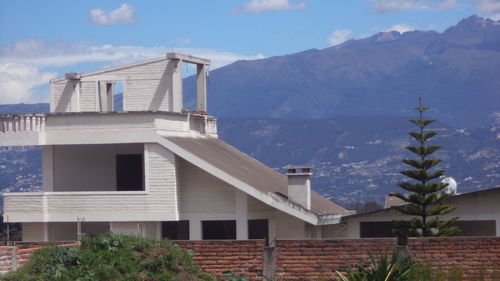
(249, 170)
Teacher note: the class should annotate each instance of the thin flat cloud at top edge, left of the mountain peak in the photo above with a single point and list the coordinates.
(384, 6)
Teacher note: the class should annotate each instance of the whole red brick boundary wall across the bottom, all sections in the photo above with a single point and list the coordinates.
(477, 257)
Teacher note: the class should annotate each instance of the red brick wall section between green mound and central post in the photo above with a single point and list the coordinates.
(241, 257)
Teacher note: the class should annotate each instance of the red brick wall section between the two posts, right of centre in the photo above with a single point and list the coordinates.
(312, 259)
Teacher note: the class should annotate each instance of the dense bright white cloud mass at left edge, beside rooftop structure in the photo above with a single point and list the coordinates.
(17, 81)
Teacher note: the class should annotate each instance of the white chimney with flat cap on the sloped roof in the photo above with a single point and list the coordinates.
(299, 184)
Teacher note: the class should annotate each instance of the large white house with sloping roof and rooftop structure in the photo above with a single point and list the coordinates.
(152, 169)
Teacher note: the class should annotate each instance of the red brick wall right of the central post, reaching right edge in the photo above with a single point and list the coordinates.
(315, 259)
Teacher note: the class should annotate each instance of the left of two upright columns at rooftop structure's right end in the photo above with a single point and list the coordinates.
(174, 69)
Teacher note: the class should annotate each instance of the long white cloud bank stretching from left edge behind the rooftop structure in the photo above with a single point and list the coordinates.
(23, 64)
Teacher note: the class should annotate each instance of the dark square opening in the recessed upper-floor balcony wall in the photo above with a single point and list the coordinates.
(129, 172)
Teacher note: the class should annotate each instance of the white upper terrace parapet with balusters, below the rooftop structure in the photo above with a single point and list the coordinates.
(100, 127)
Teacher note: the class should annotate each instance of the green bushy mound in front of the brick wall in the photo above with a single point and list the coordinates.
(109, 257)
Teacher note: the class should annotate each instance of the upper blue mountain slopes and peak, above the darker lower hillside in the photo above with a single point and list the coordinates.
(456, 72)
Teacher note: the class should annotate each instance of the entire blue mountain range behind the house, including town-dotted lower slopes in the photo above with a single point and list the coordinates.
(344, 110)
